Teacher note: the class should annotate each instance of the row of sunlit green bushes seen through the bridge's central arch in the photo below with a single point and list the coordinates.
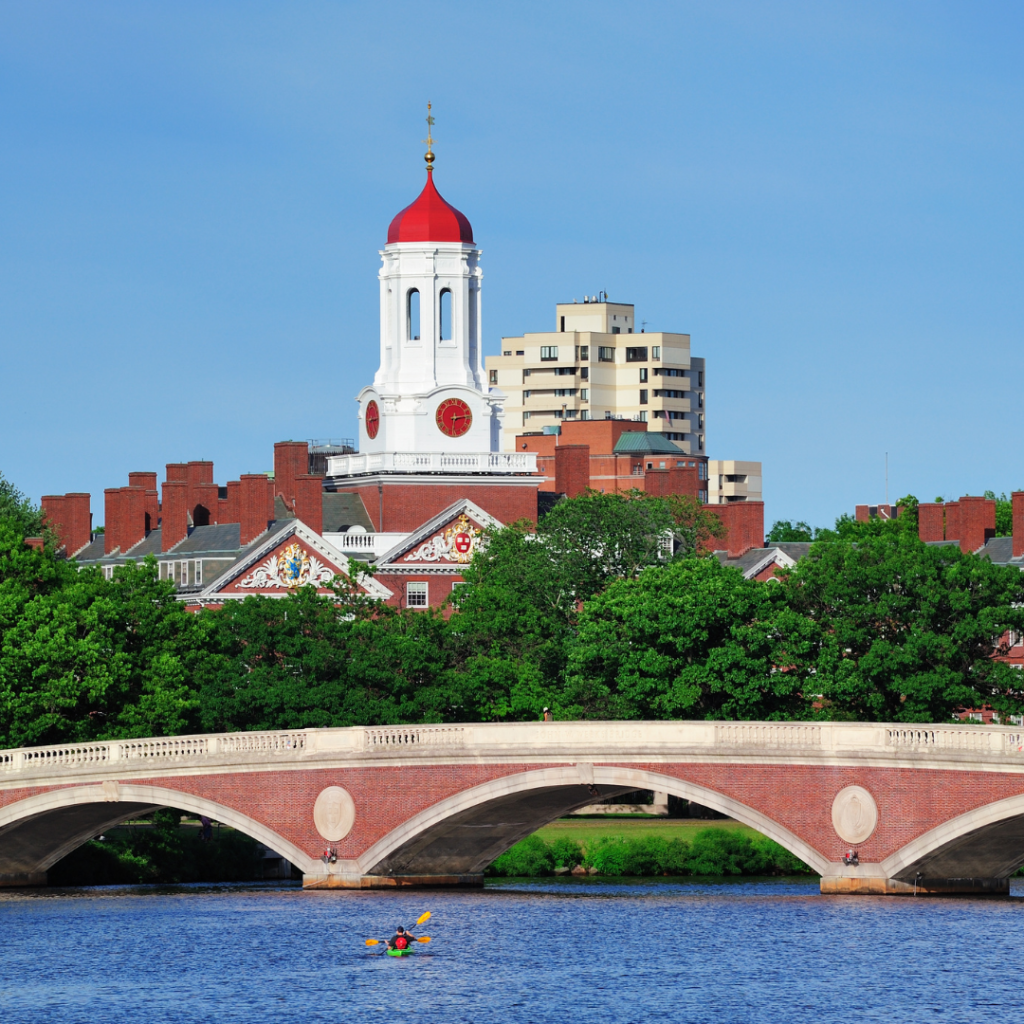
(712, 852)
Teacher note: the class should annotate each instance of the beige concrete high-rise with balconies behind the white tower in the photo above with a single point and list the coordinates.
(595, 366)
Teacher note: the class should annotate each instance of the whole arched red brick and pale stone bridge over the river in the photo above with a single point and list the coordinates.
(925, 809)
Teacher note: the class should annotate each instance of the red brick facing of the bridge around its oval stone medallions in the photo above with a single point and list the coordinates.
(911, 802)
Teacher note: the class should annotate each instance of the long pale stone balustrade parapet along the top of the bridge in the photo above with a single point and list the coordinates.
(560, 741)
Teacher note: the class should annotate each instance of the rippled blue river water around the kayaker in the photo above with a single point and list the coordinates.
(530, 952)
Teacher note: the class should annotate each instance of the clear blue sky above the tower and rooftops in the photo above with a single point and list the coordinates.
(827, 197)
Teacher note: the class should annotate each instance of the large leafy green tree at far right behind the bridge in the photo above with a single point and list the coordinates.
(903, 631)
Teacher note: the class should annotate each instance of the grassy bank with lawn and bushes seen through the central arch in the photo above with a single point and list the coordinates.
(647, 847)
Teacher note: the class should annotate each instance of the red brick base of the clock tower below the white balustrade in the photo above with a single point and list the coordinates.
(409, 506)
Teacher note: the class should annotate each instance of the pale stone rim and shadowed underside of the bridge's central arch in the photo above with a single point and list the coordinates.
(463, 835)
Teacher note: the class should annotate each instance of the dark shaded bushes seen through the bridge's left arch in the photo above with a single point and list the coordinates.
(163, 852)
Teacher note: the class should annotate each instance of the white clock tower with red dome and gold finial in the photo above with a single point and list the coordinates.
(430, 395)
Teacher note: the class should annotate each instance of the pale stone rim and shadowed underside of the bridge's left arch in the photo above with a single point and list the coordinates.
(40, 831)
